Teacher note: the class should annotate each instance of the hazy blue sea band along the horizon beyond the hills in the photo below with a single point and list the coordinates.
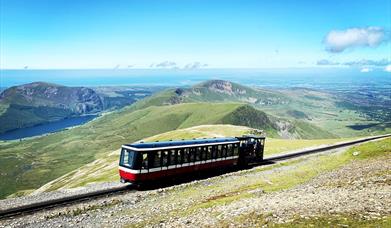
(316, 77)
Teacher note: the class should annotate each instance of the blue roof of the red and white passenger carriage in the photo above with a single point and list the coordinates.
(179, 143)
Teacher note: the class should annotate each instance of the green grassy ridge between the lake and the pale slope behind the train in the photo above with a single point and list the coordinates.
(30, 163)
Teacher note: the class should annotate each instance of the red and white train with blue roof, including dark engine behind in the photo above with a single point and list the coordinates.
(144, 162)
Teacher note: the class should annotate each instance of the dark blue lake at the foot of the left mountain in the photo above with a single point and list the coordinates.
(45, 128)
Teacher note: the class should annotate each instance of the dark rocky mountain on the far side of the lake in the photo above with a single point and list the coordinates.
(40, 102)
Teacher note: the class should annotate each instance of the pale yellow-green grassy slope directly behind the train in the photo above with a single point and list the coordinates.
(105, 169)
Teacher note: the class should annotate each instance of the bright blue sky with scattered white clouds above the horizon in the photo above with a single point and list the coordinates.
(73, 34)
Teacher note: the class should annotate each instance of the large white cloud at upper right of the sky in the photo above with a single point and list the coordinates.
(339, 40)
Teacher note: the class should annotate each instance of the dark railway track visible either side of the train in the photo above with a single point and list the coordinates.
(37, 206)
